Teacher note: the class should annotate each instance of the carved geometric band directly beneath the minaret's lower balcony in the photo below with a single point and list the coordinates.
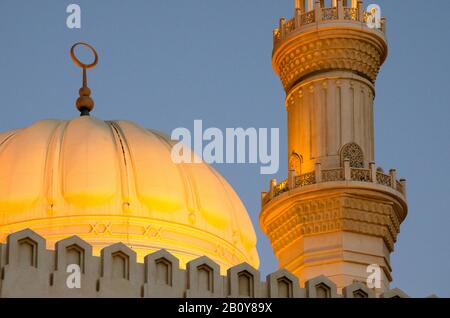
(341, 213)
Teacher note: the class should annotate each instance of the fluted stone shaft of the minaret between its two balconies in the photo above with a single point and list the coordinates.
(327, 112)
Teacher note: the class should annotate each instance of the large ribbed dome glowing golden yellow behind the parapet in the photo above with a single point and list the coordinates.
(110, 182)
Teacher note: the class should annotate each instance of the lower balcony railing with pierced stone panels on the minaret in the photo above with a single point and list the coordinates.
(345, 173)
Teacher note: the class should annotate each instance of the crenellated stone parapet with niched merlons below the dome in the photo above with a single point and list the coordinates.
(28, 269)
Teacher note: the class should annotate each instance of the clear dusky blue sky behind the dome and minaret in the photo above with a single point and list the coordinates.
(165, 63)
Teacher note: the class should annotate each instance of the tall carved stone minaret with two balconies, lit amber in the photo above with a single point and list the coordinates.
(337, 213)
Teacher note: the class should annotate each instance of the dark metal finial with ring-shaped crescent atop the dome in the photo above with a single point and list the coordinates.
(85, 103)
